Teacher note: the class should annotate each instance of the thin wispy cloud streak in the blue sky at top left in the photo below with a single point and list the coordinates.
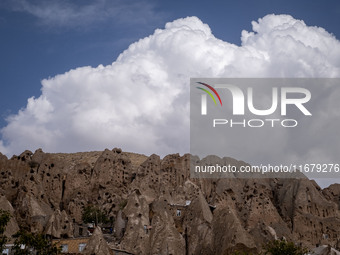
(68, 14)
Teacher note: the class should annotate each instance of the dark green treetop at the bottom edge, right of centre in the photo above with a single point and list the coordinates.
(282, 247)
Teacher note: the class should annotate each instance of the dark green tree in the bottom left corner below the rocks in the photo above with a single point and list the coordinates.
(29, 243)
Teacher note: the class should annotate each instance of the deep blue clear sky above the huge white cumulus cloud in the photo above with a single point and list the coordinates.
(33, 48)
